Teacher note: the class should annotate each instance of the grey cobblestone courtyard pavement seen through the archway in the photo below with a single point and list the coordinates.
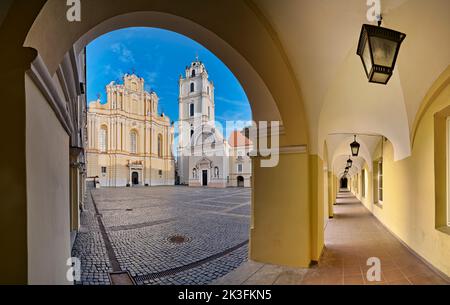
(139, 222)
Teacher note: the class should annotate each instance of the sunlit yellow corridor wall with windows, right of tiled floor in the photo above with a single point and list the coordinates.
(408, 208)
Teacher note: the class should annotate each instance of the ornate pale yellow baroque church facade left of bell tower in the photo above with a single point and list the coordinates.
(129, 143)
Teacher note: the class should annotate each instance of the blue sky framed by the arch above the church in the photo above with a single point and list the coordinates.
(160, 56)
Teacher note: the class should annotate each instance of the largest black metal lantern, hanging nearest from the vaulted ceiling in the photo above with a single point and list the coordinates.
(378, 48)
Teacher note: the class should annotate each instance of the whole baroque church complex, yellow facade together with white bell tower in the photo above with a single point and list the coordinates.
(130, 143)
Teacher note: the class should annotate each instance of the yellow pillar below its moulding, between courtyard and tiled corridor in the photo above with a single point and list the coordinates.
(280, 232)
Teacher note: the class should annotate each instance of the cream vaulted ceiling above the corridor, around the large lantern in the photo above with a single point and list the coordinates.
(320, 39)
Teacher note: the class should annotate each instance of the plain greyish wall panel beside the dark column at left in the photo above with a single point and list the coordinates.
(48, 191)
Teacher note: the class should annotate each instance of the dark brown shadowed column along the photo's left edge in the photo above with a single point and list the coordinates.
(15, 60)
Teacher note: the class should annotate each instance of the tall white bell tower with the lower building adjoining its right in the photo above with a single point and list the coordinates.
(205, 157)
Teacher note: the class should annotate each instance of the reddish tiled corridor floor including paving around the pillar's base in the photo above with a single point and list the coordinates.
(351, 238)
